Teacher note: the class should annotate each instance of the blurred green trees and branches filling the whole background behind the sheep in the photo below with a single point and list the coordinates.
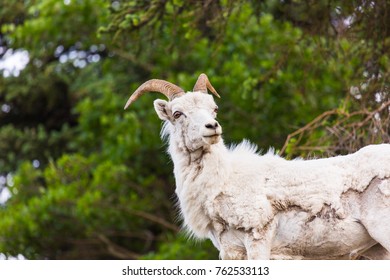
(80, 178)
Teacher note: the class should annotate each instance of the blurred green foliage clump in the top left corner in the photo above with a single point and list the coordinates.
(77, 21)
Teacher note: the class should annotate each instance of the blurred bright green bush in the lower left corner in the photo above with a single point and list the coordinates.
(77, 201)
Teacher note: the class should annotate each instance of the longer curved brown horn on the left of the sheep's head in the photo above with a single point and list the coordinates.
(168, 89)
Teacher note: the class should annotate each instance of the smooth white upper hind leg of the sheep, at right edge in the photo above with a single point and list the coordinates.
(376, 211)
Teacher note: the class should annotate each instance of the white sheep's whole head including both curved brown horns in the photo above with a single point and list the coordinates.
(191, 115)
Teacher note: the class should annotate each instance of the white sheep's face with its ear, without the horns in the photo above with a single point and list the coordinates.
(193, 119)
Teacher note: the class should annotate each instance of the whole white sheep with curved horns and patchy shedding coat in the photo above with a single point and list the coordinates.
(262, 206)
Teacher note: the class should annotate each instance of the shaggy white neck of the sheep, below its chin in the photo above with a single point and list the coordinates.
(198, 174)
